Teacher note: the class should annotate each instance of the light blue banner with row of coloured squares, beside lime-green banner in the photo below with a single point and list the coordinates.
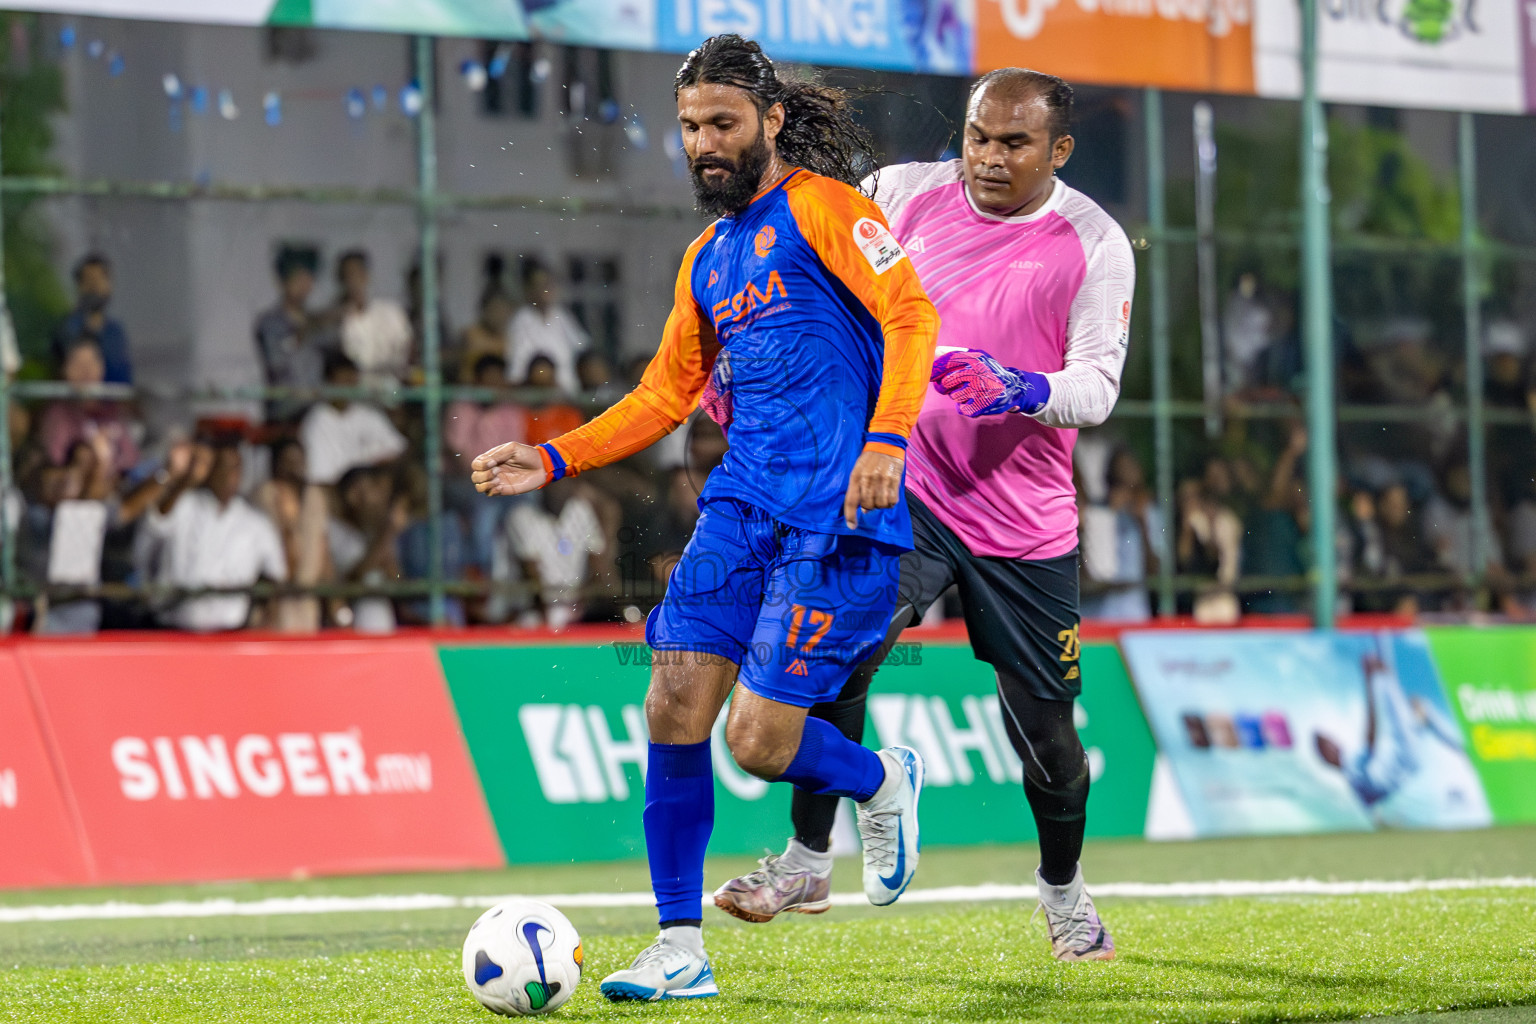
(1285, 732)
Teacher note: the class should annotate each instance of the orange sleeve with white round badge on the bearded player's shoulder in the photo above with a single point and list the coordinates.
(852, 237)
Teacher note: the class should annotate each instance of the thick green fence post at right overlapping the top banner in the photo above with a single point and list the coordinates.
(1317, 325)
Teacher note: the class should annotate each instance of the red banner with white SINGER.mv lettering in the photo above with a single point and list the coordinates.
(225, 759)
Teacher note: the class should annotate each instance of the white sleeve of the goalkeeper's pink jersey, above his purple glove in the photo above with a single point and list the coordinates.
(1085, 389)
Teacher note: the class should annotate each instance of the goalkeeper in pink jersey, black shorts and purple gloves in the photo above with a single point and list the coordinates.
(1033, 283)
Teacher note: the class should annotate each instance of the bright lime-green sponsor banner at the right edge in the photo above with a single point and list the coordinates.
(1491, 679)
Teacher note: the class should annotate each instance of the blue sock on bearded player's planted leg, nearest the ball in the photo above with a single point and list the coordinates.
(680, 814)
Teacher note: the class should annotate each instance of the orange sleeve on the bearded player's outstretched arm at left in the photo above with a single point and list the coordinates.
(664, 398)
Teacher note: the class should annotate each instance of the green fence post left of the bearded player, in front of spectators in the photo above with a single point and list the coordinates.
(431, 340)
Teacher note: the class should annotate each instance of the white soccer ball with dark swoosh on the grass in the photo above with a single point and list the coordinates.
(523, 957)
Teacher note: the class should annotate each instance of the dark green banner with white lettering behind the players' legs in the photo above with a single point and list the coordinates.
(558, 736)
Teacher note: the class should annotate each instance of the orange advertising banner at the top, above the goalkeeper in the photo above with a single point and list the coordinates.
(1193, 45)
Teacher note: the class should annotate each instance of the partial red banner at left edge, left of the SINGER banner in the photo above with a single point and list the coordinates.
(39, 842)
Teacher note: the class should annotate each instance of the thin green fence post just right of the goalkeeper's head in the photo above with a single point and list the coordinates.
(1162, 343)
